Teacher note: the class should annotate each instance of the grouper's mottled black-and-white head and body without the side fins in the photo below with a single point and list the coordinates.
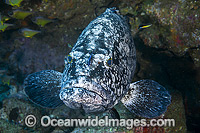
(108, 36)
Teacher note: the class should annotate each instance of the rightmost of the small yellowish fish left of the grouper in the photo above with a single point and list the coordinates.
(41, 21)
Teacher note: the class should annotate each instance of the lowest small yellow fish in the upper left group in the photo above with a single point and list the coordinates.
(28, 32)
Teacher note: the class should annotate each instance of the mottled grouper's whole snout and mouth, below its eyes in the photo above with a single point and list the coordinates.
(84, 93)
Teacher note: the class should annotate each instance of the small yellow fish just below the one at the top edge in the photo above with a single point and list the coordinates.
(19, 14)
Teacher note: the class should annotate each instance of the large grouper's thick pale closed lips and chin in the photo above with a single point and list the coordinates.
(80, 98)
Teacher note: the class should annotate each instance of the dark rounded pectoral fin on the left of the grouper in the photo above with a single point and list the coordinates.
(43, 88)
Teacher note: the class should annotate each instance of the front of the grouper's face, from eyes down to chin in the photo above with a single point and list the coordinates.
(82, 84)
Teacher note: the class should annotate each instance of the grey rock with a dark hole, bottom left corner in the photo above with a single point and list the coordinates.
(15, 111)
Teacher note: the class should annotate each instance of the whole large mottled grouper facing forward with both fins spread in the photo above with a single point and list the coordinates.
(98, 73)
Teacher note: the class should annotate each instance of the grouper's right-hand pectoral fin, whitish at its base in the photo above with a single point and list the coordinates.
(147, 98)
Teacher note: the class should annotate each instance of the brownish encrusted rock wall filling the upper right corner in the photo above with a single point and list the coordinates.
(175, 24)
